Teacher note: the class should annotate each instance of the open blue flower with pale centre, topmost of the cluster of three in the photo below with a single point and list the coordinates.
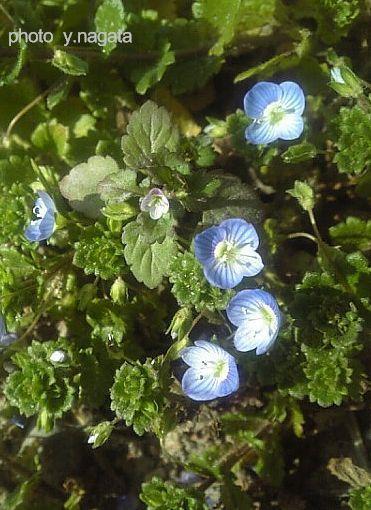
(227, 253)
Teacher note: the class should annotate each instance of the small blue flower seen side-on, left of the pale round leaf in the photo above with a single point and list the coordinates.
(43, 227)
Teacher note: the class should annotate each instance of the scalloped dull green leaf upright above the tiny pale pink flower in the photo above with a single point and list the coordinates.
(150, 130)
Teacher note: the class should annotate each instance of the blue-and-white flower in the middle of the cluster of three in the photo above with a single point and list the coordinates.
(258, 320)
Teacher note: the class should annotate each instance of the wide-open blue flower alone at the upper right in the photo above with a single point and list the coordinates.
(276, 111)
